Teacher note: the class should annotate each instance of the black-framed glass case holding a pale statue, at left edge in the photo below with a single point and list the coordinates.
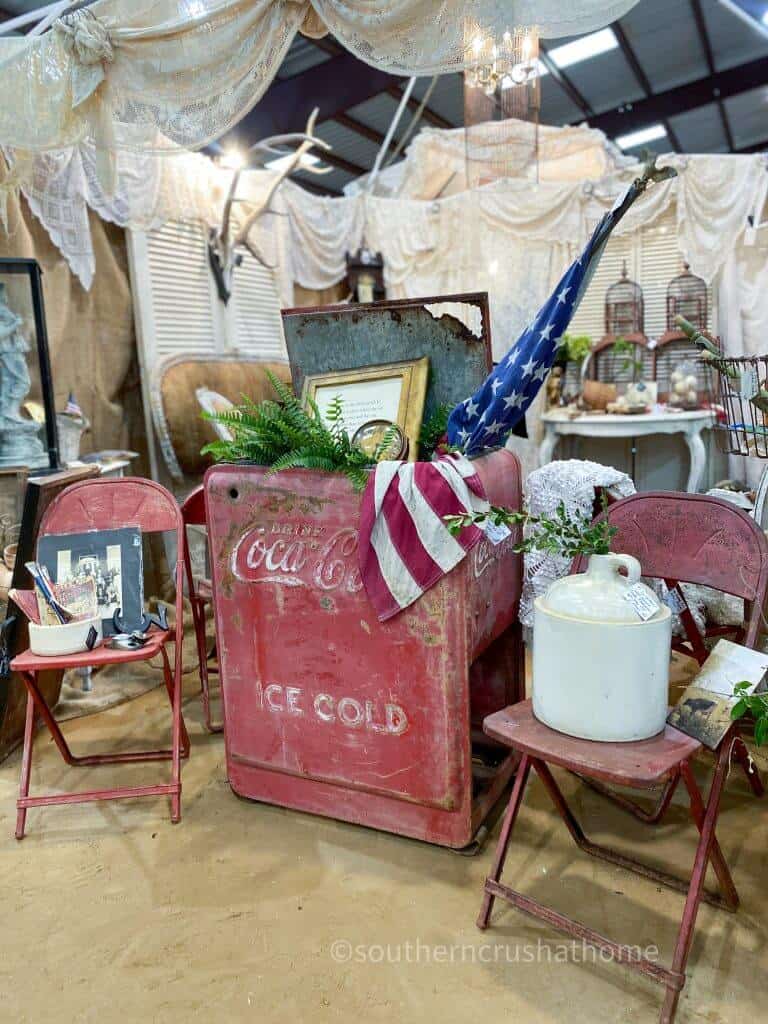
(28, 421)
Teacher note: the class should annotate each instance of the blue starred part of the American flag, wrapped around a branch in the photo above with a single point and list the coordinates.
(487, 419)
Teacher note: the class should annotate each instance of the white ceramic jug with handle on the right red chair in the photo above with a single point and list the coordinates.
(601, 672)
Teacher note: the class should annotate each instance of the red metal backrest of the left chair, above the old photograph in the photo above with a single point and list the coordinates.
(110, 504)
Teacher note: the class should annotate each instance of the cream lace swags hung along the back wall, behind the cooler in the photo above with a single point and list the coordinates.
(467, 241)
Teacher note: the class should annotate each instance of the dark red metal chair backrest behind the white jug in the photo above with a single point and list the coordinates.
(695, 539)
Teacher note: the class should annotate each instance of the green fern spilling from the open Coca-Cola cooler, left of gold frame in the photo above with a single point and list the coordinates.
(285, 436)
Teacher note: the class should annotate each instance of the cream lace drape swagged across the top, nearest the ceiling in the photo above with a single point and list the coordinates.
(191, 69)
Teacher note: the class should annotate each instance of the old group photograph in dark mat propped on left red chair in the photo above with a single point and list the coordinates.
(112, 559)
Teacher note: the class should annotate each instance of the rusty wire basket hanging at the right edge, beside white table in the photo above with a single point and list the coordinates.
(742, 385)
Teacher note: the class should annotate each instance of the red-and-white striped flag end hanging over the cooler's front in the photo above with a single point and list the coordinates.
(405, 546)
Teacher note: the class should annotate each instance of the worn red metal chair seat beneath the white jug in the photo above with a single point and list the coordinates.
(642, 764)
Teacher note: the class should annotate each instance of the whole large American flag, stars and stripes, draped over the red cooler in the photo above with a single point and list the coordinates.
(405, 546)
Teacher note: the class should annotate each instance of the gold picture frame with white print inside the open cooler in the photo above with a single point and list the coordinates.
(394, 392)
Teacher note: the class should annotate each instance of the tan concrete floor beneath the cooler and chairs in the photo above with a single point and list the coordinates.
(112, 914)
